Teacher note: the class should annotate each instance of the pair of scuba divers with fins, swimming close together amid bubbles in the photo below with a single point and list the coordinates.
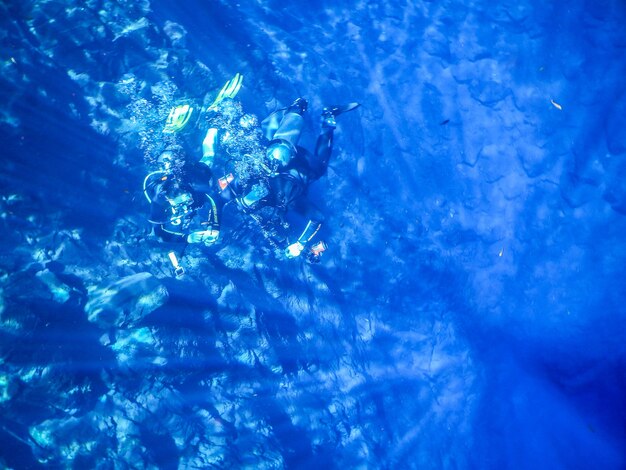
(189, 195)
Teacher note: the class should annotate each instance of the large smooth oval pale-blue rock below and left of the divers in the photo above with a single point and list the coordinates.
(125, 302)
